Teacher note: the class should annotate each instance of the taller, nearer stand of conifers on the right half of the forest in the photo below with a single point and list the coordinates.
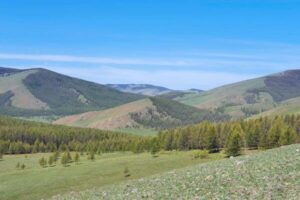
(264, 133)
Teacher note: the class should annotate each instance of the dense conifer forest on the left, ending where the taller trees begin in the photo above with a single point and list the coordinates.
(20, 136)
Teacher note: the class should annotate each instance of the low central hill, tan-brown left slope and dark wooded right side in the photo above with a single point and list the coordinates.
(151, 113)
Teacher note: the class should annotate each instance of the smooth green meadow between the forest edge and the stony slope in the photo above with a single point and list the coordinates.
(35, 182)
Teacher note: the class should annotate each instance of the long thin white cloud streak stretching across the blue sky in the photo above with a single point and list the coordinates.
(204, 60)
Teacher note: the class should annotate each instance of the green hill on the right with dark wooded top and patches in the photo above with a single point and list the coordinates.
(249, 97)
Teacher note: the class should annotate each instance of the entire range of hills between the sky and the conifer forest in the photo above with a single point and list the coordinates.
(43, 94)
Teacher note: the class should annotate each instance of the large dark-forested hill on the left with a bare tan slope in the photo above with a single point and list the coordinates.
(40, 92)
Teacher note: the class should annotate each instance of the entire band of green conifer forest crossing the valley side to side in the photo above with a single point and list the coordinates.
(19, 136)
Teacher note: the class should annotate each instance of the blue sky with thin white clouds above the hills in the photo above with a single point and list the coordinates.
(172, 43)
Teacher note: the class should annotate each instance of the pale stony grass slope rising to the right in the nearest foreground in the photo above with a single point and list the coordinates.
(273, 174)
